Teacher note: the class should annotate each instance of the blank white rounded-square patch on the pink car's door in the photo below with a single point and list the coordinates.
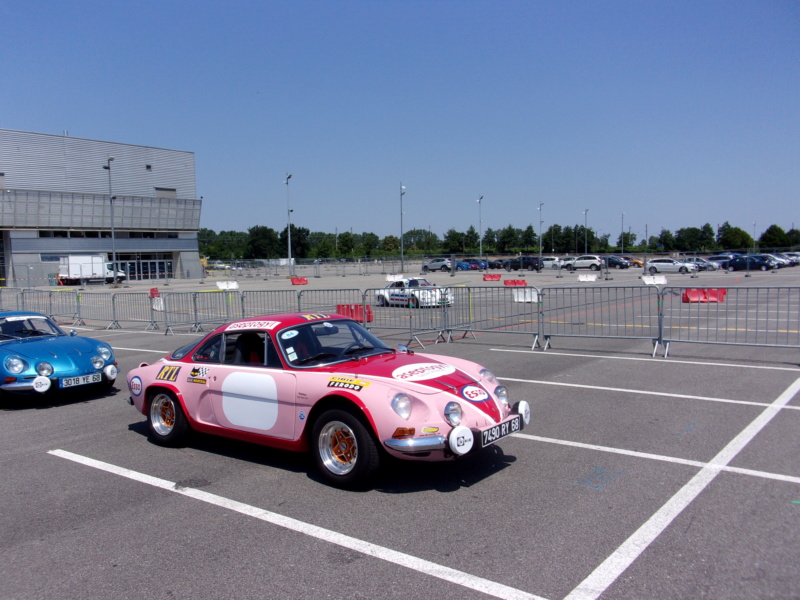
(250, 400)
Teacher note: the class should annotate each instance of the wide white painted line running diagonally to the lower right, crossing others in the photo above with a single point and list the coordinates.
(616, 564)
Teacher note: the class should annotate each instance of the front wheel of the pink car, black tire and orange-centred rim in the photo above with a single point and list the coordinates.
(344, 451)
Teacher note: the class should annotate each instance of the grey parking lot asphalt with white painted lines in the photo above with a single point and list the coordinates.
(638, 477)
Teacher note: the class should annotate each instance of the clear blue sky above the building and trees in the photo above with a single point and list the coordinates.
(675, 113)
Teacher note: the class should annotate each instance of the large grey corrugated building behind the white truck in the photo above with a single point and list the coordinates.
(57, 196)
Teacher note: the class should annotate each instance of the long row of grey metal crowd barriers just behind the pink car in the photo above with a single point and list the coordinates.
(748, 316)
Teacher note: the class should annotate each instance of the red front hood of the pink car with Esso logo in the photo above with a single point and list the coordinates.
(424, 375)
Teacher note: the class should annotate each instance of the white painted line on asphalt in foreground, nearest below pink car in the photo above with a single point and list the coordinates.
(432, 569)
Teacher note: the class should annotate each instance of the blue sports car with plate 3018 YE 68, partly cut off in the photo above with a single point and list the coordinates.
(36, 356)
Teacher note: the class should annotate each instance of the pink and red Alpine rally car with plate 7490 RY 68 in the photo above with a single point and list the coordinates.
(325, 383)
